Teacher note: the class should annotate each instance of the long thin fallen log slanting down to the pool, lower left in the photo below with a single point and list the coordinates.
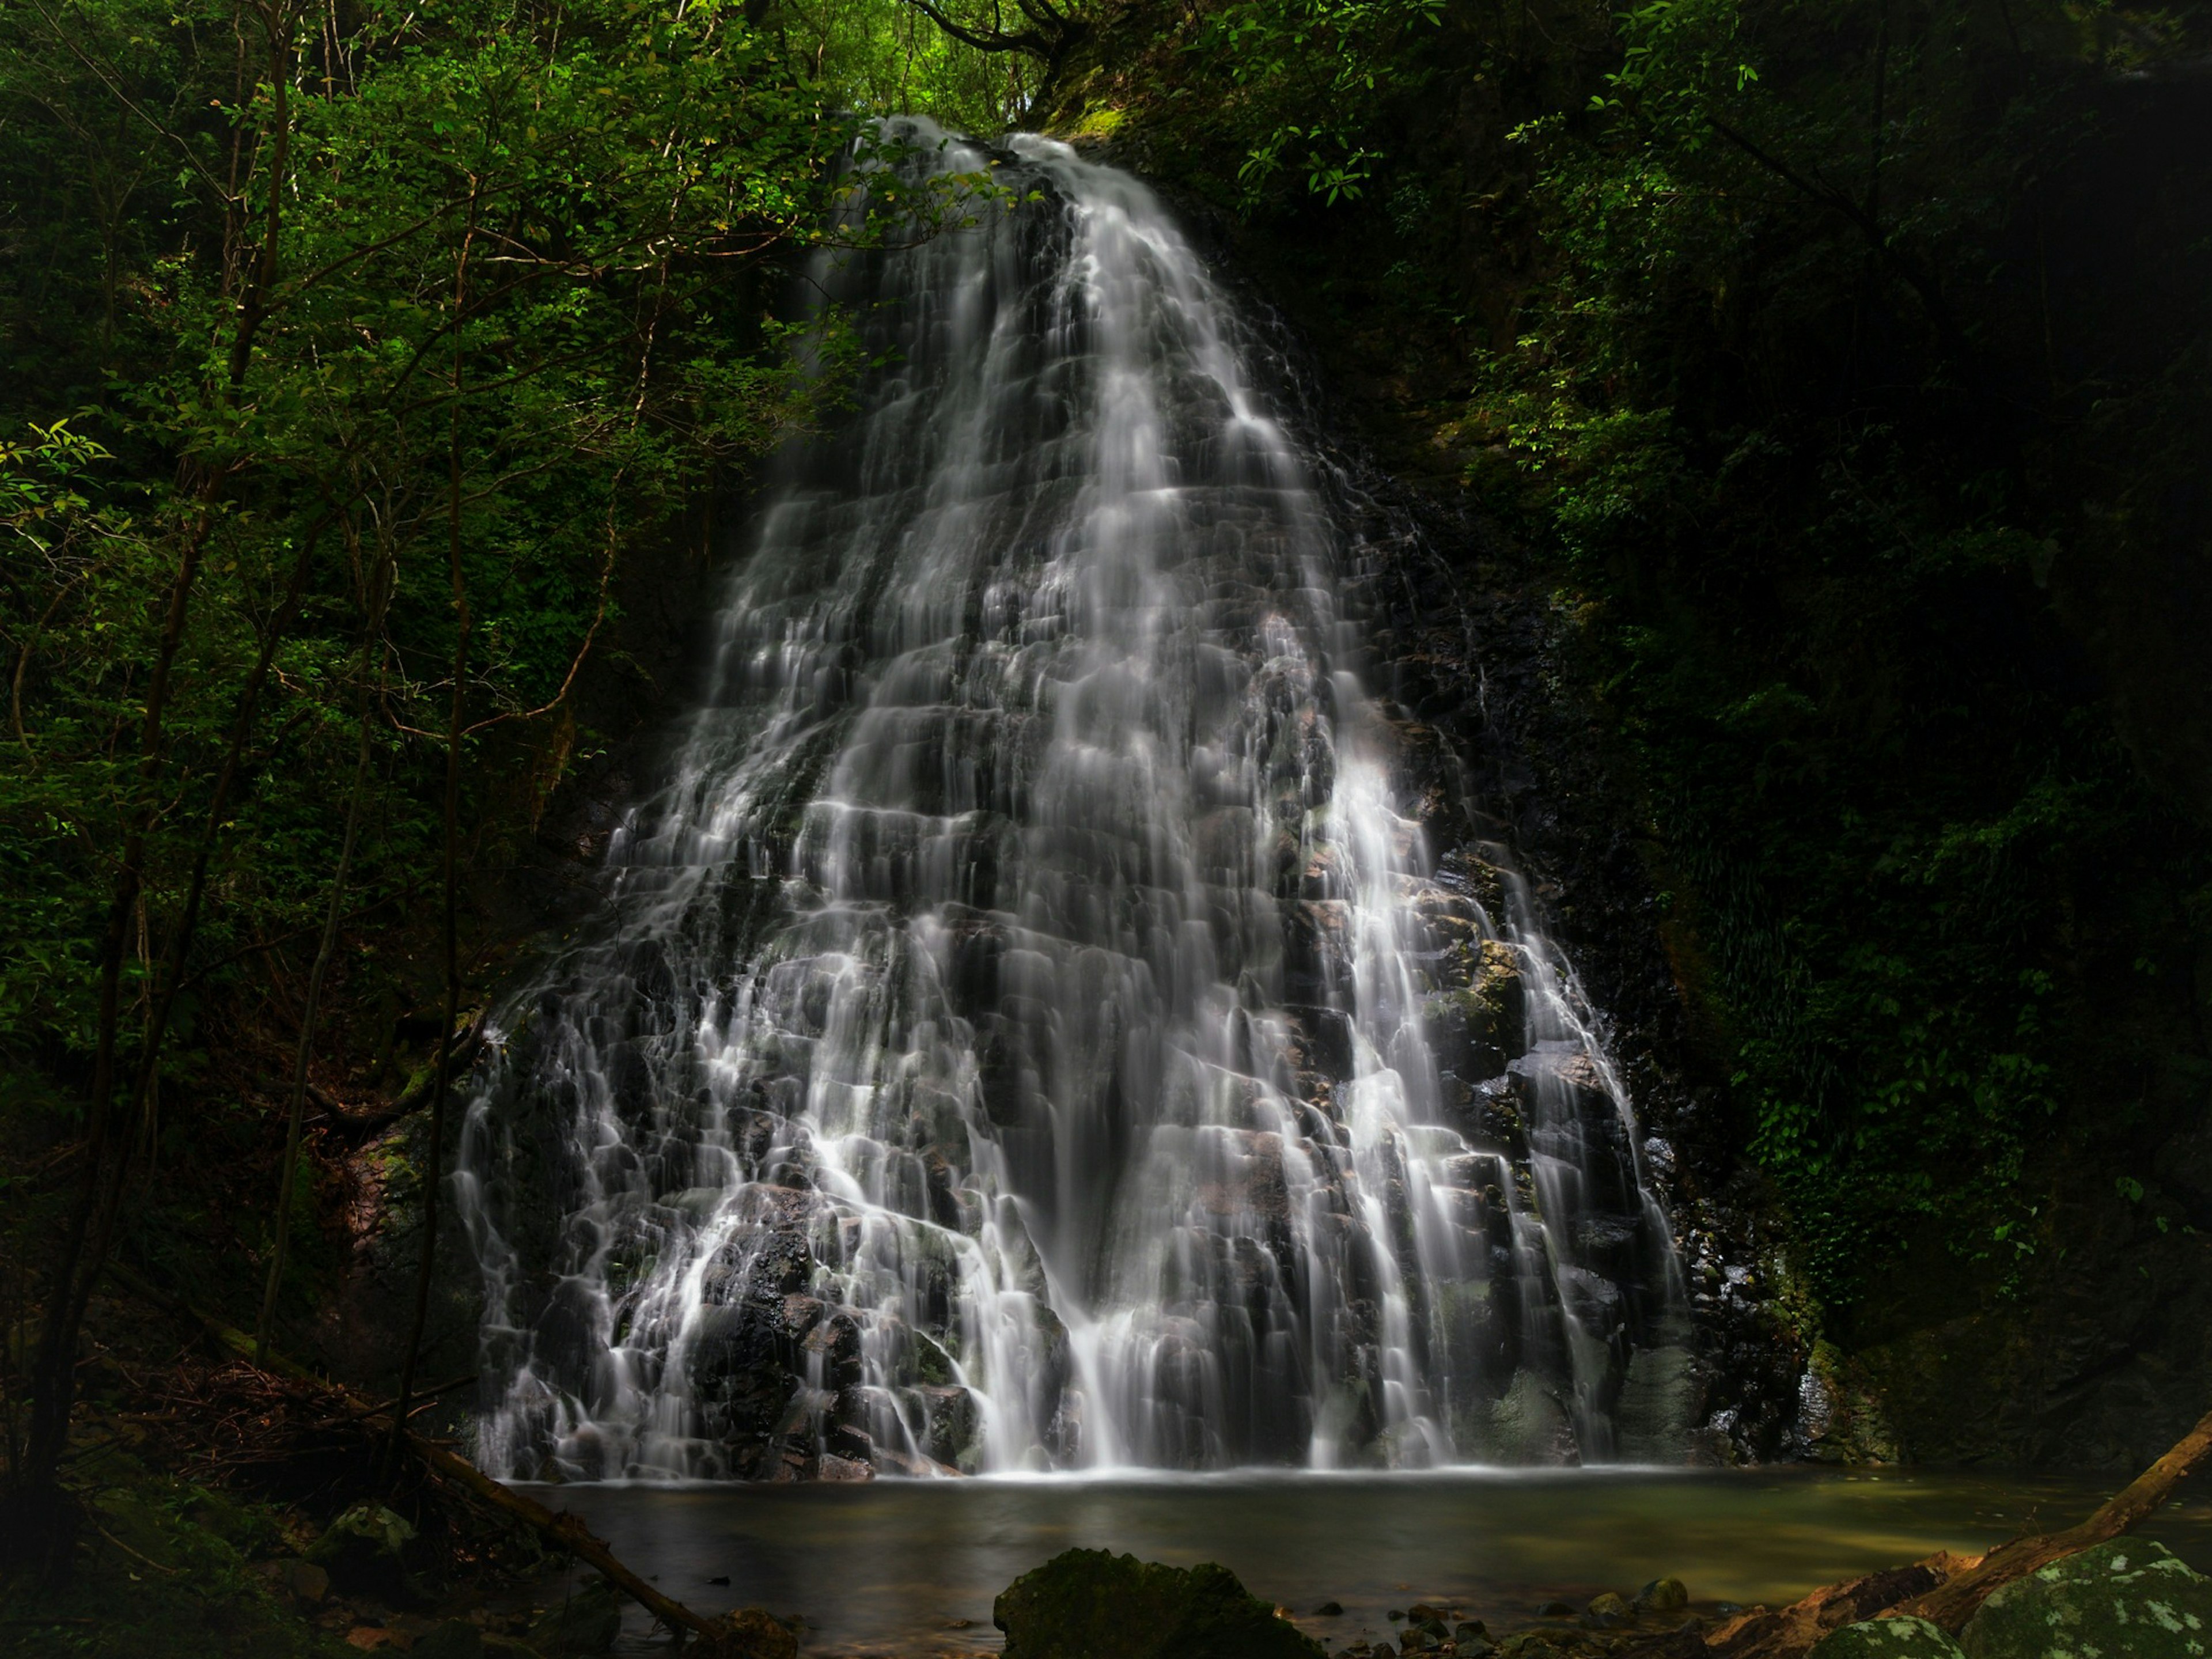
(747, 1634)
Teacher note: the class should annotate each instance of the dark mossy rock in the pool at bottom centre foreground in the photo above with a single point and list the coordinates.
(1094, 1605)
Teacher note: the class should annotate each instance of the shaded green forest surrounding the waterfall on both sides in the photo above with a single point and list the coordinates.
(1828, 377)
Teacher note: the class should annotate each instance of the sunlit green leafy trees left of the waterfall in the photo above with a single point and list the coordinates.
(386, 335)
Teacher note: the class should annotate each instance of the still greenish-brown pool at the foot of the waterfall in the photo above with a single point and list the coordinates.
(904, 1567)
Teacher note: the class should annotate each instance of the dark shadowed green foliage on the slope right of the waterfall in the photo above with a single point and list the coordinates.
(1802, 437)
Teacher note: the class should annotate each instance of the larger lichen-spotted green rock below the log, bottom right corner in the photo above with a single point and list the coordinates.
(2122, 1600)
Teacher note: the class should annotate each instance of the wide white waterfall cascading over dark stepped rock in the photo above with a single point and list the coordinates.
(1025, 1034)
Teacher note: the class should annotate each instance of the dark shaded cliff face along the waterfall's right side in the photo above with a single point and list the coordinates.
(1932, 1050)
